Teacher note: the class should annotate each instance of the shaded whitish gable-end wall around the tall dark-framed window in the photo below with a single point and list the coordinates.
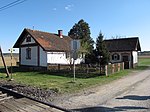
(33, 60)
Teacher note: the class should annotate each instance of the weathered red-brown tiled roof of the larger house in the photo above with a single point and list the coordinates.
(48, 41)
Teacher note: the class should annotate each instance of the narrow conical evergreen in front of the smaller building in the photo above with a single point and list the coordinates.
(101, 50)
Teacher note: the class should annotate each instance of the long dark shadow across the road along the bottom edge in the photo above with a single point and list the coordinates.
(108, 109)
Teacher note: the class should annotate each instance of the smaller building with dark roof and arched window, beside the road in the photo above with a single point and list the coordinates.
(124, 50)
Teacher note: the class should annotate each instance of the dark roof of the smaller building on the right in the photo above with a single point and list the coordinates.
(123, 44)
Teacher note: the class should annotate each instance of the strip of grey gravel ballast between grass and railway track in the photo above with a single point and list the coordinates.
(46, 95)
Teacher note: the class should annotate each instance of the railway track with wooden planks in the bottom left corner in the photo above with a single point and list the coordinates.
(11, 101)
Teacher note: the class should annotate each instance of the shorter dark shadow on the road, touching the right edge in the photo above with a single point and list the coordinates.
(135, 97)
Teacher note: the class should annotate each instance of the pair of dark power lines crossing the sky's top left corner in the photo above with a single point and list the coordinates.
(11, 4)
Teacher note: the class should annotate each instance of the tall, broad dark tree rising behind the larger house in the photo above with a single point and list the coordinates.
(81, 30)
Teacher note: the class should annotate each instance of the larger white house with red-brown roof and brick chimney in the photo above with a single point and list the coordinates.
(38, 48)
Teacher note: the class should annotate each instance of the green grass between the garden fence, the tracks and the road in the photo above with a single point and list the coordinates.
(63, 83)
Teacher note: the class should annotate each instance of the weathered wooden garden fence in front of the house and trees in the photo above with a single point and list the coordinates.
(88, 68)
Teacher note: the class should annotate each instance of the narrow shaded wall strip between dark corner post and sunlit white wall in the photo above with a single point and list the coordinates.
(43, 58)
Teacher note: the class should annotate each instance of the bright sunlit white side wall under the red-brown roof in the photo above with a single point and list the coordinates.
(57, 58)
